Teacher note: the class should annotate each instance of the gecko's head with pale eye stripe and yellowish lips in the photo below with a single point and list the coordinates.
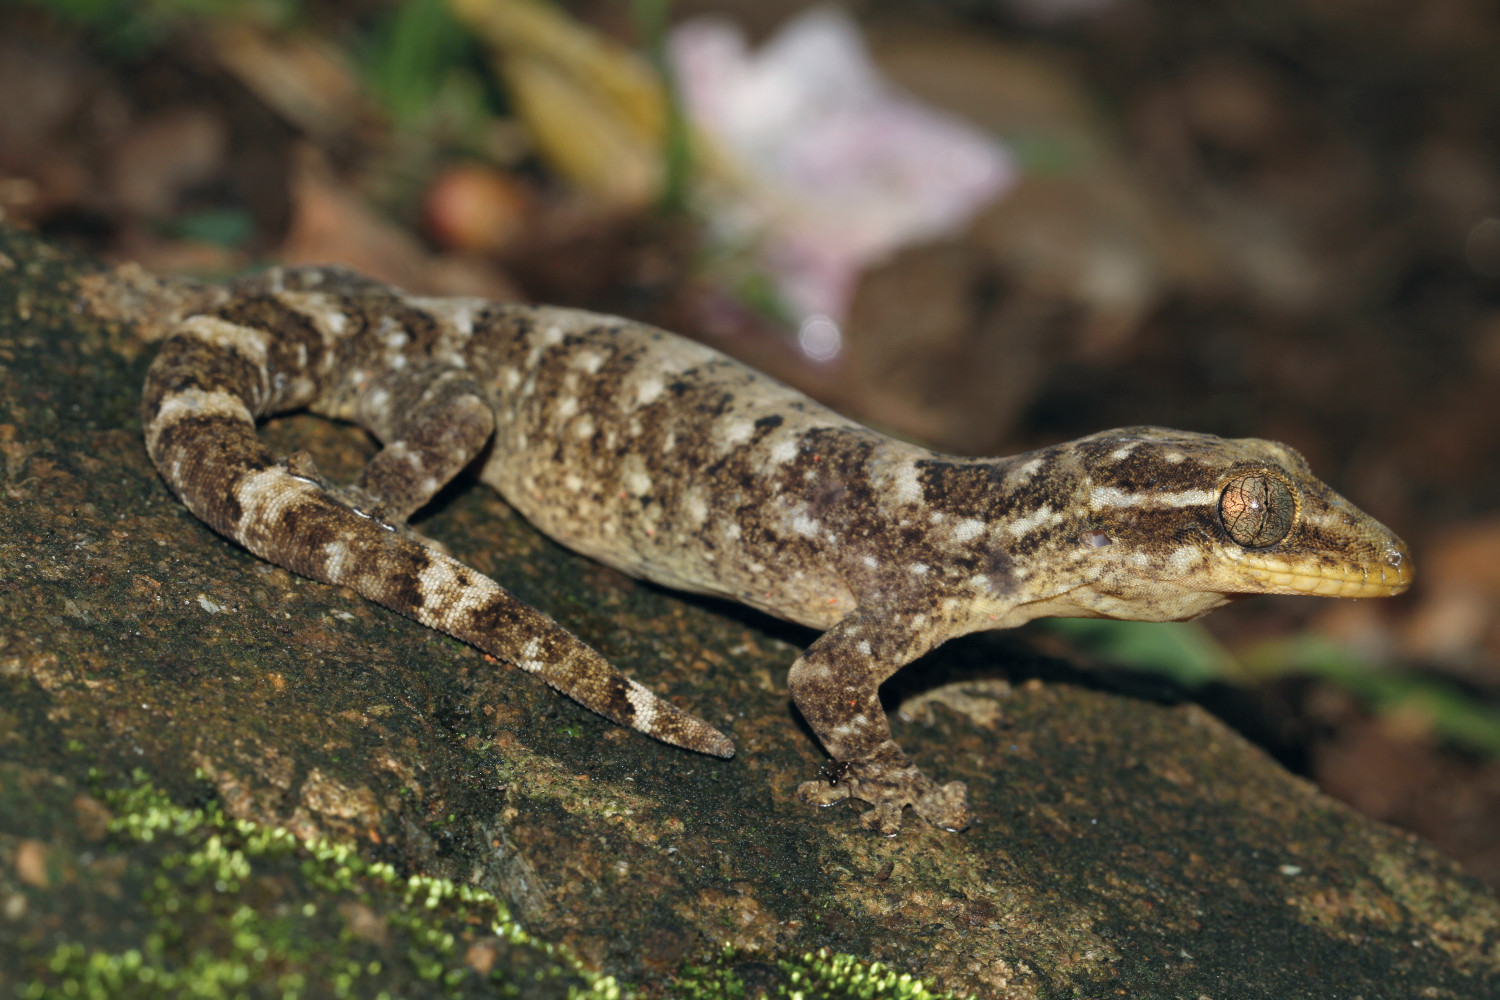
(1198, 518)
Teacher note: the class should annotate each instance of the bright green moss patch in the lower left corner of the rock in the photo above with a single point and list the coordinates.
(236, 909)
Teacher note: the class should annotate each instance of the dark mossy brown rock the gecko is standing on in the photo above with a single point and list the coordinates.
(1121, 848)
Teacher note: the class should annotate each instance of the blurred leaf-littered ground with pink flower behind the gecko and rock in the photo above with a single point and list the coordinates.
(986, 226)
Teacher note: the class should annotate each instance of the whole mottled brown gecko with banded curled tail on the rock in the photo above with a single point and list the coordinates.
(671, 463)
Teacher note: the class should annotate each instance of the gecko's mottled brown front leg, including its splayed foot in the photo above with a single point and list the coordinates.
(836, 687)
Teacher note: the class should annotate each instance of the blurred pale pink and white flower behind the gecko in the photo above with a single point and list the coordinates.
(836, 170)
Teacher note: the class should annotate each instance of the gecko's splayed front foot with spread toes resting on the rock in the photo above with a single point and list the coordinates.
(890, 788)
